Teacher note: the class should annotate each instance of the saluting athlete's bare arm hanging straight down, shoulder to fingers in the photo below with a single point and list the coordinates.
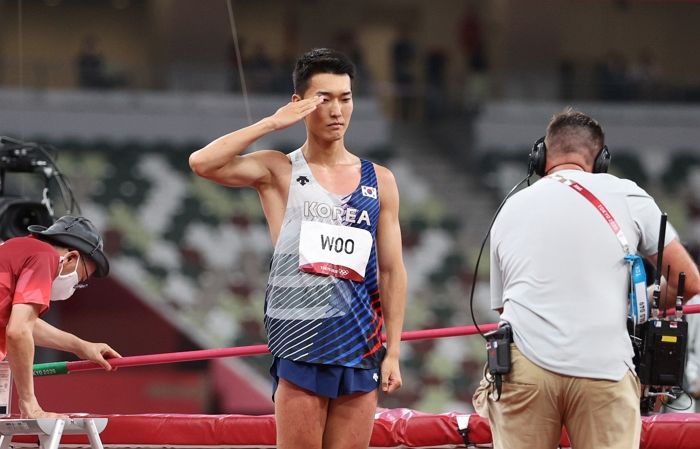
(392, 276)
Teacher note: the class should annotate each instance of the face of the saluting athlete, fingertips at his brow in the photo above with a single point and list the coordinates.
(331, 118)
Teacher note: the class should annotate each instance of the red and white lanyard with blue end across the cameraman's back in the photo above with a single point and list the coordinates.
(638, 293)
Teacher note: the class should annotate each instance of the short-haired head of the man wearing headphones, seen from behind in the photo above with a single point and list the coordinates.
(573, 134)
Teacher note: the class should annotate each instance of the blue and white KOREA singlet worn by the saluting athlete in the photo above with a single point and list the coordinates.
(322, 301)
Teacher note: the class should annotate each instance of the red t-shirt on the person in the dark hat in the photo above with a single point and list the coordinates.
(28, 268)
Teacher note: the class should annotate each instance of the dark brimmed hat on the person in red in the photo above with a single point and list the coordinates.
(75, 233)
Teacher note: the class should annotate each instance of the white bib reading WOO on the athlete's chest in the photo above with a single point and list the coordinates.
(332, 250)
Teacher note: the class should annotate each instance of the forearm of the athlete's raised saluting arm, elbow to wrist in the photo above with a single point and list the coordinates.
(221, 151)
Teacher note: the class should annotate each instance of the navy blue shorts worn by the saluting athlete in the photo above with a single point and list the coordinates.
(328, 381)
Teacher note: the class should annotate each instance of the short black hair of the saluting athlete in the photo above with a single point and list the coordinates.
(320, 60)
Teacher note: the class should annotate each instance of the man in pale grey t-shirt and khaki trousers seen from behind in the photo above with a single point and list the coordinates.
(559, 277)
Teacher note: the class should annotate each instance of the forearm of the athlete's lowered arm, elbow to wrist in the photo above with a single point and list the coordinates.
(393, 291)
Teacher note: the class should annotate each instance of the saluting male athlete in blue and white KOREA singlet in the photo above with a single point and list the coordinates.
(333, 219)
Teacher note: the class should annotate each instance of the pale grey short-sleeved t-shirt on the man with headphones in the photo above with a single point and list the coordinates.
(558, 272)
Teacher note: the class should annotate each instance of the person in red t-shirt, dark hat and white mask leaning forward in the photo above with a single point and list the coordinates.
(46, 266)
